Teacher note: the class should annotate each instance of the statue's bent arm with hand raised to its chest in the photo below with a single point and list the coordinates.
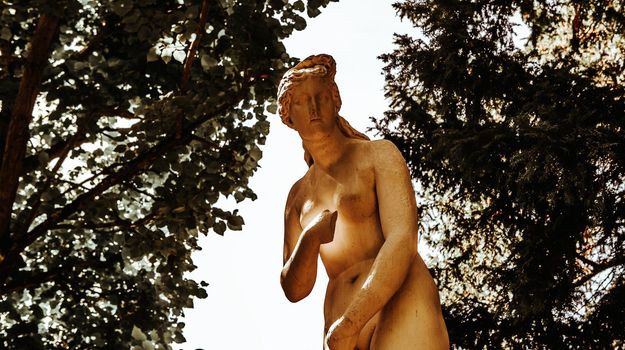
(301, 250)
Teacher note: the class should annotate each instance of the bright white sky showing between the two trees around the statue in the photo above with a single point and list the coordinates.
(246, 308)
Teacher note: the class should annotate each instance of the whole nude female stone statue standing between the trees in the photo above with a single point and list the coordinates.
(355, 207)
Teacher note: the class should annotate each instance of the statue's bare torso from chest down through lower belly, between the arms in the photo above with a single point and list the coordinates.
(349, 189)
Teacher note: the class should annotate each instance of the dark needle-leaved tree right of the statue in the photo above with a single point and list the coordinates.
(519, 153)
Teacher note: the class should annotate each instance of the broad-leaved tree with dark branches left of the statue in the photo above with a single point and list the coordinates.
(121, 125)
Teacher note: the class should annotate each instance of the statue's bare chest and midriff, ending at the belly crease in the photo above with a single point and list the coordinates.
(349, 189)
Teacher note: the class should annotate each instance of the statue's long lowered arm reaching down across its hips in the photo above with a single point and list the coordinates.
(398, 218)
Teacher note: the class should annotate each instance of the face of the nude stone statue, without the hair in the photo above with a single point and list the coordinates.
(312, 109)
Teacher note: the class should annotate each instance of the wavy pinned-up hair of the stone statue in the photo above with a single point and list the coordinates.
(318, 66)
